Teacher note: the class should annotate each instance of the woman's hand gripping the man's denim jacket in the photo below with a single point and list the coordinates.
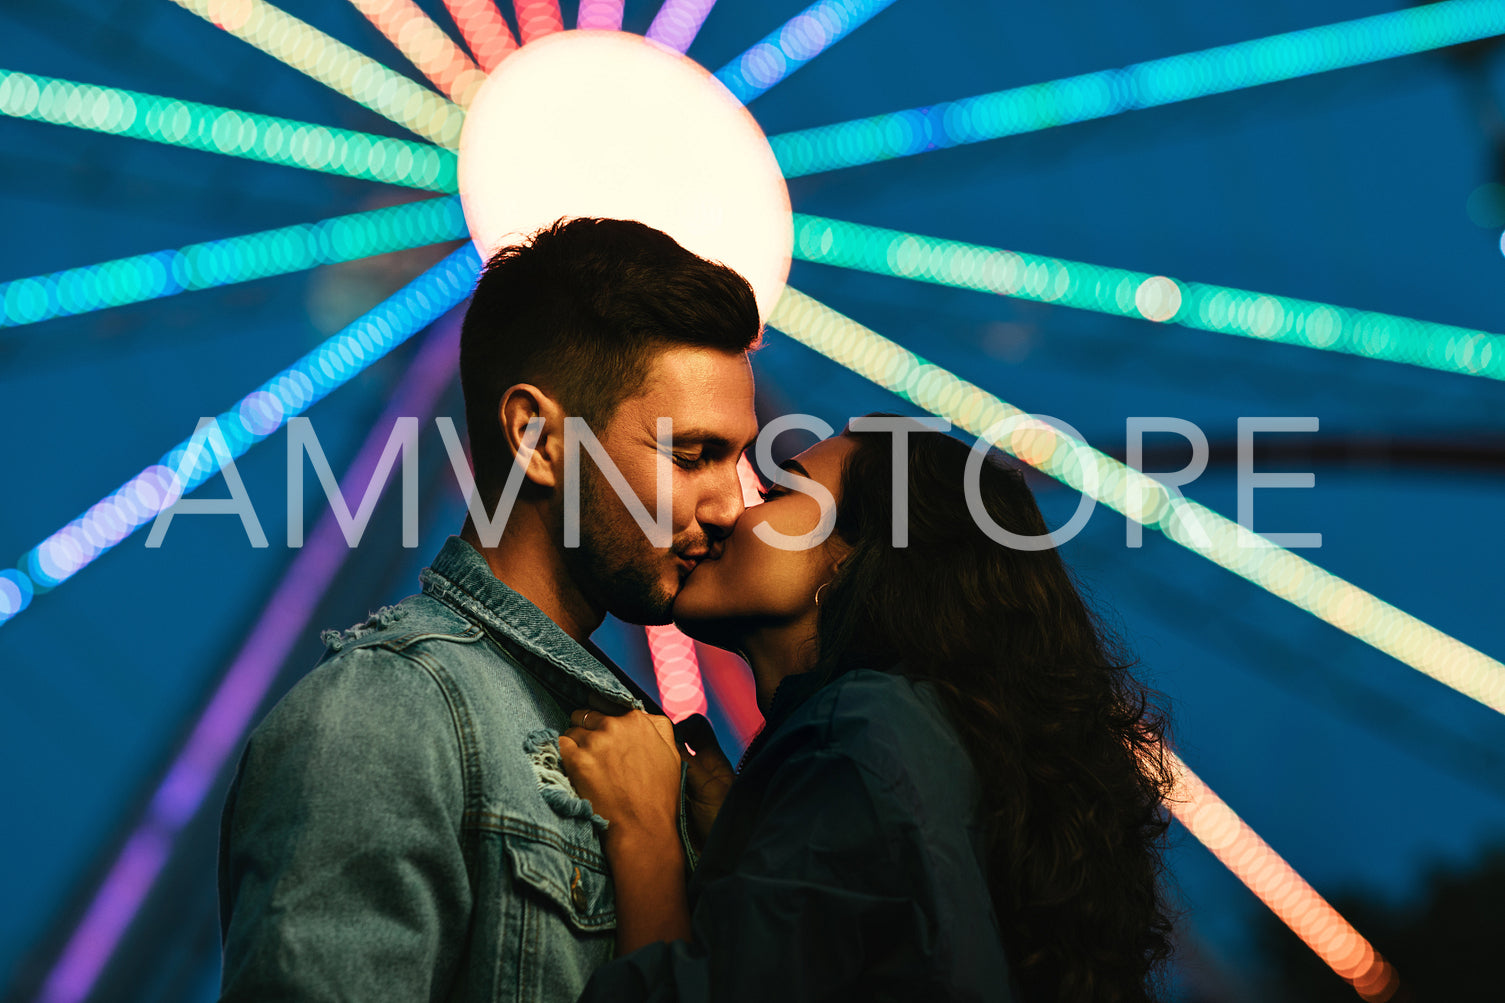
(628, 769)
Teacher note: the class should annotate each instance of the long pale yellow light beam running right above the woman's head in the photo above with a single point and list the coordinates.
(1145, 499)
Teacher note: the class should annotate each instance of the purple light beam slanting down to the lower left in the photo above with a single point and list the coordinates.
(240, 694)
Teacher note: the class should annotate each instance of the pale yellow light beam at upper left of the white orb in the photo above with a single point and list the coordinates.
(336, 66)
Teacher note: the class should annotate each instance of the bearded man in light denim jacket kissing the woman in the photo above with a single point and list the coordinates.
(398, 828)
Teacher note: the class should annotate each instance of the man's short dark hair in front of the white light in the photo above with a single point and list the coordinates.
(580, 311)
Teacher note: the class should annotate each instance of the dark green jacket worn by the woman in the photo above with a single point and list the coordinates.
(847, 864)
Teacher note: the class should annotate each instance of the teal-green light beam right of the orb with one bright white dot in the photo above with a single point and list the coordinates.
(1139, 294)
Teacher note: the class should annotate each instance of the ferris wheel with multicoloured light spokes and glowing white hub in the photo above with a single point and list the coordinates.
(518, 120)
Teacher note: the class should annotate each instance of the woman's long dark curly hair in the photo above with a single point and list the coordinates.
(1066, 742)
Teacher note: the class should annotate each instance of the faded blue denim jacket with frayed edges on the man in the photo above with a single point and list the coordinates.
(400, 828)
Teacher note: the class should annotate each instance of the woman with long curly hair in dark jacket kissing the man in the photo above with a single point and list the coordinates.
(958, 788)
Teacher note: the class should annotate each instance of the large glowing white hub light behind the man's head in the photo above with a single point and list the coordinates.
(612, 124)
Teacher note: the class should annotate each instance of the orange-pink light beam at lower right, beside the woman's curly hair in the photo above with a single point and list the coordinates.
(1278, 886)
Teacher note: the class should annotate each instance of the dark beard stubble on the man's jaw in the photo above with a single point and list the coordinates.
(615, 566)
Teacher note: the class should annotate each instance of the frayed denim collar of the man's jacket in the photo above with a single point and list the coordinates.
(463, 579)
